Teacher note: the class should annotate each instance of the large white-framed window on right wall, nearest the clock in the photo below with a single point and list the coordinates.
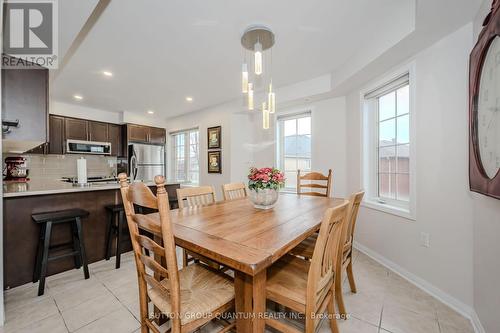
(387, 146)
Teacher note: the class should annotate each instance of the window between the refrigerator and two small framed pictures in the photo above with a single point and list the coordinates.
(186, 166)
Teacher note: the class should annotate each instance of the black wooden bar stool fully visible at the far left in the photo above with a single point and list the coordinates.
(47, 220)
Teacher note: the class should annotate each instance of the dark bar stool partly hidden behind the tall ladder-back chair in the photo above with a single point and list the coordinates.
(116, 214)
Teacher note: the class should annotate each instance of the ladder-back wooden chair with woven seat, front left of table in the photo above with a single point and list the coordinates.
(190, 297)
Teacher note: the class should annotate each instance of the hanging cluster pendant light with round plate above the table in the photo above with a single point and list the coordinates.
(257, 40)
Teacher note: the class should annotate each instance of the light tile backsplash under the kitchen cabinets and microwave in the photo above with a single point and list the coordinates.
(49, 167)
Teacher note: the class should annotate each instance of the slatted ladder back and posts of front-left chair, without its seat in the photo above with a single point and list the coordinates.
(139, 194)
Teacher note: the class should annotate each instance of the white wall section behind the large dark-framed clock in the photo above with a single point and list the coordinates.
(486, 222)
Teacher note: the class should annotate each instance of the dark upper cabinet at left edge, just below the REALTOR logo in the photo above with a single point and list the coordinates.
(24, 100)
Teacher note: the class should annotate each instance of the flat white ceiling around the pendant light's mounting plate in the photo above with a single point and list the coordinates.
(162, 51)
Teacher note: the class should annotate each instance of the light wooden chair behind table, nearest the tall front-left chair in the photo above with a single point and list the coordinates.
(196, 197)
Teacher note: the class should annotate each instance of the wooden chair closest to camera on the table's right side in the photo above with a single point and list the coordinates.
(308, 287)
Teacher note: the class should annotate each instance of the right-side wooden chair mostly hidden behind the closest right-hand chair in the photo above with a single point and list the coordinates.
(306, 249)
